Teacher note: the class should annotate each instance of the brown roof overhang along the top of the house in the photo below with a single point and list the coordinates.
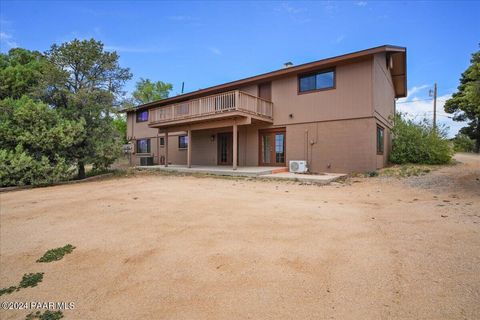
(398, 72)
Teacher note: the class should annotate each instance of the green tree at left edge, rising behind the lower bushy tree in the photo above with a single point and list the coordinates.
(21, 72)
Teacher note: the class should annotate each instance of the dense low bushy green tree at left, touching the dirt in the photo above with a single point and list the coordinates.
(34, 142)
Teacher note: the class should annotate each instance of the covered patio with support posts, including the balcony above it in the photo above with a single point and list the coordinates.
(226, 115)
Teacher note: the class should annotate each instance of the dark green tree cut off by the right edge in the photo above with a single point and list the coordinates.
(465, 103)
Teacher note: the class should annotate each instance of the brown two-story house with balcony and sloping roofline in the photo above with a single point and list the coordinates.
(335, 113)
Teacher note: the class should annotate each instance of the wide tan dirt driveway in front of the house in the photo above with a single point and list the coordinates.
(164, 247)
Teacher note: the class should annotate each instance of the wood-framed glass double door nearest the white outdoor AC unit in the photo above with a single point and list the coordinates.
(272, 147)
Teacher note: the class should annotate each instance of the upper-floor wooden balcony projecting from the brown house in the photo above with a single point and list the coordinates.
(224, 105)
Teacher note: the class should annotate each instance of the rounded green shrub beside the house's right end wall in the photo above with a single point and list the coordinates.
(418, 142)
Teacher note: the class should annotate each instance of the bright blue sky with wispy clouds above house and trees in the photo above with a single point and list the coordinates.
(208, 43)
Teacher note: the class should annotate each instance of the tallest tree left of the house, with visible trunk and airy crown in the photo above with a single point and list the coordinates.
(85, 84)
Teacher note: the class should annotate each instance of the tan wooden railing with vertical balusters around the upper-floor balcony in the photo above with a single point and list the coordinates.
(212, 105)
